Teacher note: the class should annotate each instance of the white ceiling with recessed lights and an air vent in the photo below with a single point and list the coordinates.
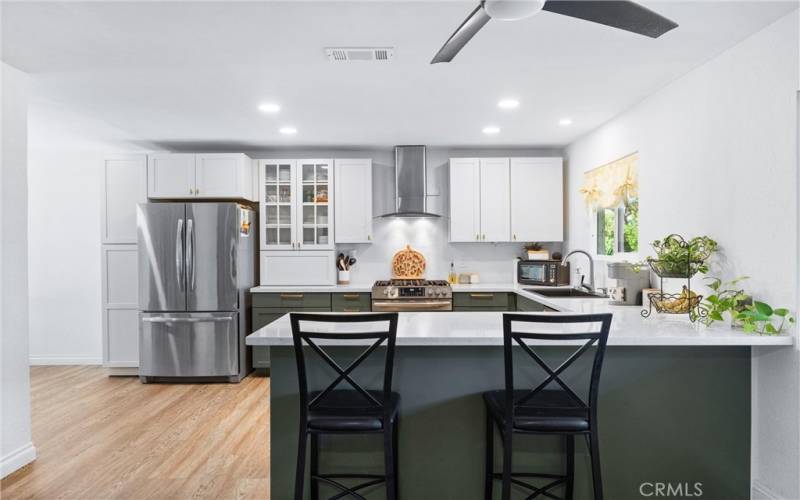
(186, 73)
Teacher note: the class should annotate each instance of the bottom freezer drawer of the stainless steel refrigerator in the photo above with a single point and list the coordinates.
(188, 344)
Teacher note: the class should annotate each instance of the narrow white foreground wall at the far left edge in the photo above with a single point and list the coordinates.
(16, 446)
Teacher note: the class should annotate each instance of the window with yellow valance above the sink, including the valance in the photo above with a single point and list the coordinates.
(612, 193)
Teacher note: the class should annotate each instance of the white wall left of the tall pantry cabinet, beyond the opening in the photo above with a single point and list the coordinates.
(66, 157)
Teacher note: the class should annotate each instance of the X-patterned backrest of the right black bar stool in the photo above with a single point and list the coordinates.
(590, 336)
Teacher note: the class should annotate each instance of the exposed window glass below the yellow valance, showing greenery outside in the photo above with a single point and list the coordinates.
(617, 229)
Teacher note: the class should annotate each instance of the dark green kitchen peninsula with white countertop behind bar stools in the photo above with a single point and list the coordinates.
(667, 385)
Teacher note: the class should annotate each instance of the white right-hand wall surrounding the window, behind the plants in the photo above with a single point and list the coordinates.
(718, 157)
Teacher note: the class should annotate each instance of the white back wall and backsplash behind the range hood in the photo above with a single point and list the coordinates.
(494, 262)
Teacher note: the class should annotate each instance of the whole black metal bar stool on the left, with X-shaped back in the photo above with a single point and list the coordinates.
(346, 411)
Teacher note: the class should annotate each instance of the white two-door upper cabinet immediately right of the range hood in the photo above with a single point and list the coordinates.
(479, 200)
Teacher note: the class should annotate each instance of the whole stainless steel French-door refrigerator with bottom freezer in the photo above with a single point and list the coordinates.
(196, 264)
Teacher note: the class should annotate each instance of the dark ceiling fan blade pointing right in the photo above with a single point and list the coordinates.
(625, 15)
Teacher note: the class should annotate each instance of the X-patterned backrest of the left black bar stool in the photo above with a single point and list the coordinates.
(372, 330)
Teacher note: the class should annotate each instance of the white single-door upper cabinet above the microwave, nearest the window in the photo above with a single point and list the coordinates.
(537, 199)
